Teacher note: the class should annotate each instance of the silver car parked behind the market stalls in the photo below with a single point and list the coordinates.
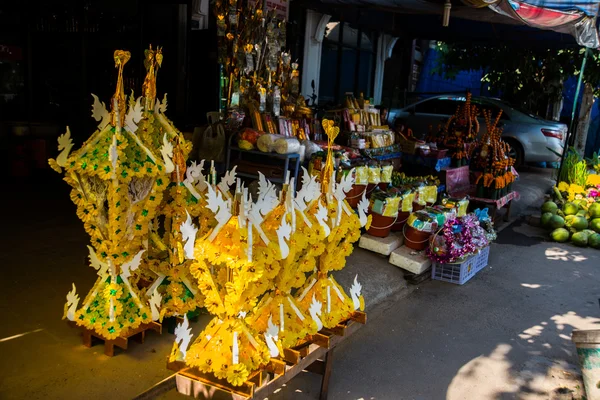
(529, 136)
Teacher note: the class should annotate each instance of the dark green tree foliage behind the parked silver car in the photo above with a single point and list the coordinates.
(526, 77)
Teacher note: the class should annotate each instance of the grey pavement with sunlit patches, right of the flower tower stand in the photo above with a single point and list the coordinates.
(503, 335)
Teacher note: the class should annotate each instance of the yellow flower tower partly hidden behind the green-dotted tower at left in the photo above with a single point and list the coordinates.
(173, 292)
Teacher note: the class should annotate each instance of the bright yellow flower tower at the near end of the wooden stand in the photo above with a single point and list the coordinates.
(232, 270)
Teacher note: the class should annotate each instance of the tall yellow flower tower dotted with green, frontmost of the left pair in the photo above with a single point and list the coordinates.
(117, 186)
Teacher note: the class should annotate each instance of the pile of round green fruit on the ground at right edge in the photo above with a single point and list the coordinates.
(574, 222)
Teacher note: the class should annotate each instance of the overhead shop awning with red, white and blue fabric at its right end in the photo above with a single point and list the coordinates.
(505, 21)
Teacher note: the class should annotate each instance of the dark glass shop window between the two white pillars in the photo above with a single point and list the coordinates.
(347, 62)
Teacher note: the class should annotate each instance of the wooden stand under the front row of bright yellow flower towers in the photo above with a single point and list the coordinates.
(315, 355)
